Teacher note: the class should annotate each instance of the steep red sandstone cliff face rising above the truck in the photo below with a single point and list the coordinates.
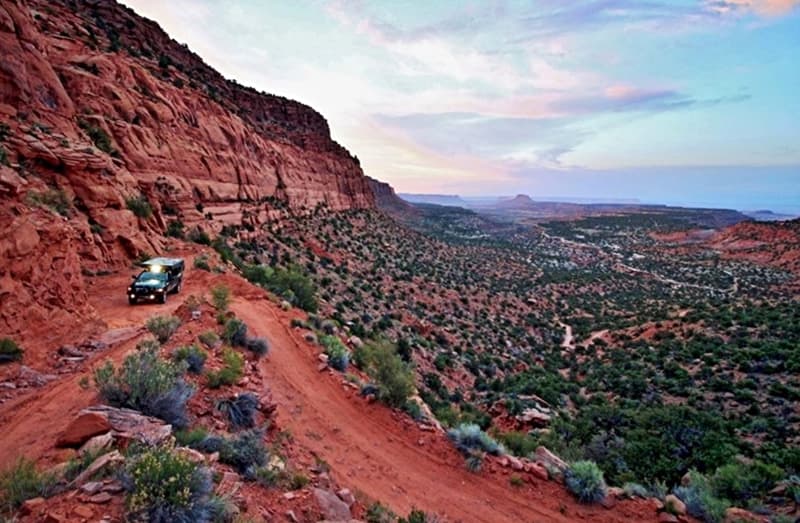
(99, 107)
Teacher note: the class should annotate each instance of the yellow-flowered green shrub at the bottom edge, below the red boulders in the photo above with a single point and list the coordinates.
(163, 486)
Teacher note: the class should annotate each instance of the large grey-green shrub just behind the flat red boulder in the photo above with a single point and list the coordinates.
(148, 384)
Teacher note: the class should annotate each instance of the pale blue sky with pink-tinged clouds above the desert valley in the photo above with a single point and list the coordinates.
(680, 102)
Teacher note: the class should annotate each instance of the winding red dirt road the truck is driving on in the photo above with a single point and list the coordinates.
(372, 450)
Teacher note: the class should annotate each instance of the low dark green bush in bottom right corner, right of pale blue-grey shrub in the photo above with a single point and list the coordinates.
(740, 482)
